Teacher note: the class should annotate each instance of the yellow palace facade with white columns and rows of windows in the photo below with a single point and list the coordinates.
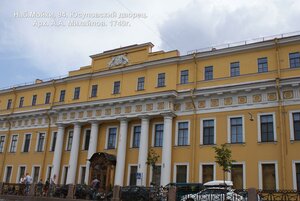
(130, 100)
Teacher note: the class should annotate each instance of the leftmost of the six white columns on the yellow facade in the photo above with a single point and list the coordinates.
(57, 152)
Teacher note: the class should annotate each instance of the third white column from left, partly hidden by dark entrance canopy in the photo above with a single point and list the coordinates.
(92, 148)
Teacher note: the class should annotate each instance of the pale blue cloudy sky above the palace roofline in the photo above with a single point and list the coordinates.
(57, 39)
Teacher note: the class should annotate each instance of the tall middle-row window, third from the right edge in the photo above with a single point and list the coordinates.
(236, 130)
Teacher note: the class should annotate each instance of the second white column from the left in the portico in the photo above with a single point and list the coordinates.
(74, 155)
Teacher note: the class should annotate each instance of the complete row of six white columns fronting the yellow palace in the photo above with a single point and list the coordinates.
(121, 150)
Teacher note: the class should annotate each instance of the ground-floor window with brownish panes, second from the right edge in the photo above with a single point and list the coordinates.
(268, 177)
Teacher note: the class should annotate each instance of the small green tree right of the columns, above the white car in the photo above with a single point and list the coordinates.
(223, 158)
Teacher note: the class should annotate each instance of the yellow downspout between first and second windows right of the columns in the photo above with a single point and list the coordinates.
(194, 143)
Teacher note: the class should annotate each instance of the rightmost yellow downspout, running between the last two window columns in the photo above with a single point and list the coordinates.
(281, 112)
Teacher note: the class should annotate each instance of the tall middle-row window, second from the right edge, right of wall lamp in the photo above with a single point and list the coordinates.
(267, 129)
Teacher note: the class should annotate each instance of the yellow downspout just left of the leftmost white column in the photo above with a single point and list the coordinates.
(48, 130)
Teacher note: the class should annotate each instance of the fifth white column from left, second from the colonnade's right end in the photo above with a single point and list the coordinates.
(143, 151)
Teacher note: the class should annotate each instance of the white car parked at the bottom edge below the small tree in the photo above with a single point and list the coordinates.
(215, 191)
